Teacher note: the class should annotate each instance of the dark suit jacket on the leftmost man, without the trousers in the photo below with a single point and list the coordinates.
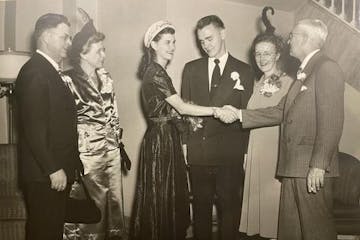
(47, 122)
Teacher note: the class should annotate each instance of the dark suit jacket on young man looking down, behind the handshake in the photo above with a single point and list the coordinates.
(217, 143)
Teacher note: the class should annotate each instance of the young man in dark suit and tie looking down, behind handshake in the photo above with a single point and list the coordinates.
(216, 151)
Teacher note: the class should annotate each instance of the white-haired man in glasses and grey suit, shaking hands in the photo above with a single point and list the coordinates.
(311, 117)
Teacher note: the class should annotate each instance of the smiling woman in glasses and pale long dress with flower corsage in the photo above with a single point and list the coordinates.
(261, 188)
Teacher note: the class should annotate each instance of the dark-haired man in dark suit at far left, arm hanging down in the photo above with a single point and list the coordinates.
(48, 152)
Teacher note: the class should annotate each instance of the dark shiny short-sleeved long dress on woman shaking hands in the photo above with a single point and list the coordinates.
(161, 207)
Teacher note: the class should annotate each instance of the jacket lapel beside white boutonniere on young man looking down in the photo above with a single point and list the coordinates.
(226, 85)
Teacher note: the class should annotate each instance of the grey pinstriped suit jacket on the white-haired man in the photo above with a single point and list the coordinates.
(311, 117)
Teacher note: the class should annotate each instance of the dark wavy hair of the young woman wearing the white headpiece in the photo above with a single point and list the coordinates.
(149, 53)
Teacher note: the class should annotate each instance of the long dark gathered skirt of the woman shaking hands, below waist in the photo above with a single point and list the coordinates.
(161, 207)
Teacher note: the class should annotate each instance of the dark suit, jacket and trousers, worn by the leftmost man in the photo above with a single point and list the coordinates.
(47, 143)
